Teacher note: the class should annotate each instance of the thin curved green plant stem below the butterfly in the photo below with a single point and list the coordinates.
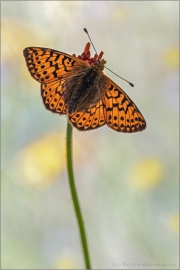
(75, 197)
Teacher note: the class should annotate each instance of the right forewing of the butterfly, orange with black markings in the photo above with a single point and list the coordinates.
(120, 113)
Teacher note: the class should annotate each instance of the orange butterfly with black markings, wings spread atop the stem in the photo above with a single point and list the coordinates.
(77, 87)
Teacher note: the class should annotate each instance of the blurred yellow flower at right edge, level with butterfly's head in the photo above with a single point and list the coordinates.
(171, 57)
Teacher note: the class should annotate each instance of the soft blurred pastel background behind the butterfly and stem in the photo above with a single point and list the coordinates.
(127, 183)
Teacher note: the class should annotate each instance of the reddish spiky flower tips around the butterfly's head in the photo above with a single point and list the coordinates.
(97, 60)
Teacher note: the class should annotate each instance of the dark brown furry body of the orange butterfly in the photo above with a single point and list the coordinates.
(83, 90)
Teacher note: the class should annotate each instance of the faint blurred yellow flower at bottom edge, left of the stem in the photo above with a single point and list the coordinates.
(66, 262)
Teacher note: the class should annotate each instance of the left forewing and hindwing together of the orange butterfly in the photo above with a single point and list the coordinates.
(50, 68)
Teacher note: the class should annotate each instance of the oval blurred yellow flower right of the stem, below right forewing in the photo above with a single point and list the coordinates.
(146, 174)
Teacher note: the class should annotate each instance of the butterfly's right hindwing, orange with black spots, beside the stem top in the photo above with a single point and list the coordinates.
(90, 119)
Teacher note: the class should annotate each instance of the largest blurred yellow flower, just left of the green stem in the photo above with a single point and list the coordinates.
(40, 163)
